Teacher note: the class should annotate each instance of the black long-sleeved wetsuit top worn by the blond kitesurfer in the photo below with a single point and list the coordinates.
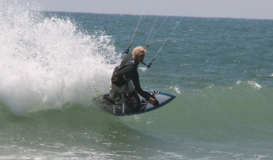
(128, 71)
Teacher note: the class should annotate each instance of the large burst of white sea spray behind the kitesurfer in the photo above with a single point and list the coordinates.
(47, 62)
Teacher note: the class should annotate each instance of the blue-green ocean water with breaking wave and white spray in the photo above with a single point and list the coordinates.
(52, 65)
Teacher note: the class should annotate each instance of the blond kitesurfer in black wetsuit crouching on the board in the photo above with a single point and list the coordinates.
(125, 78)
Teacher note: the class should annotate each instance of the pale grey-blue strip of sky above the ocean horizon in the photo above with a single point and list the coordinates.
(249, 9)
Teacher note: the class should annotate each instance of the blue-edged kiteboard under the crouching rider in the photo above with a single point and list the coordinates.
(137, 106)
